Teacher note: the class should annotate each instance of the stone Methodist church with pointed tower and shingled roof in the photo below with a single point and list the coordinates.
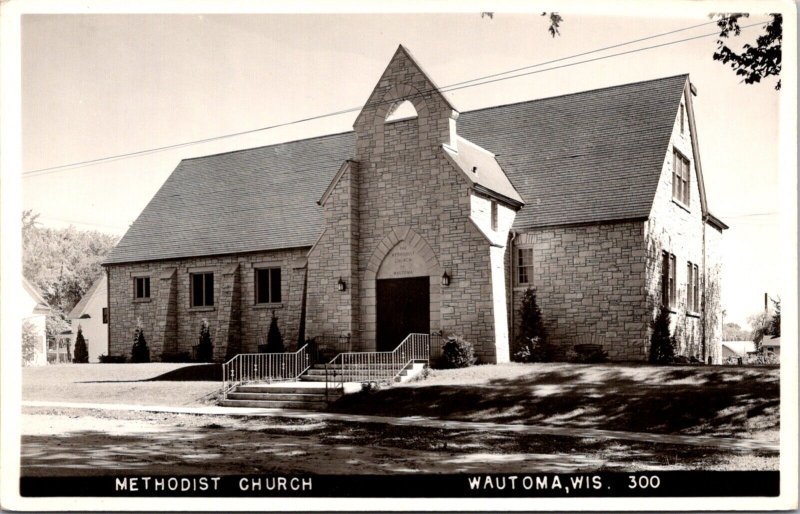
(426, 219)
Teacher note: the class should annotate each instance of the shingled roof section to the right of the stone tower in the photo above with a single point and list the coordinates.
(586, 157)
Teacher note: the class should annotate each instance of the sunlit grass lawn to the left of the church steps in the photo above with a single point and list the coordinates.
(154, 383)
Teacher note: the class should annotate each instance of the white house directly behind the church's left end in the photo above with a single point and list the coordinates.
(91, 314)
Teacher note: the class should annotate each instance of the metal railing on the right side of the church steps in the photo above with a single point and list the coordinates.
(377, 366)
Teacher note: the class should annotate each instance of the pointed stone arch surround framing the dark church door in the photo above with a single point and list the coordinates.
(423, 262)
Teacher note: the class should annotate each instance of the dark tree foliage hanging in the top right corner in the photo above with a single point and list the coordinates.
(754, 62)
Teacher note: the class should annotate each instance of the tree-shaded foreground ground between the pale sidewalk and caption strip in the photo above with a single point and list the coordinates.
(252, 446)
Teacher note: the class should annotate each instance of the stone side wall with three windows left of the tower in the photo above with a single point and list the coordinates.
(235, 318)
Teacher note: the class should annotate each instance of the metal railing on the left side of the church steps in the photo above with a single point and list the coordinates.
(264, 367)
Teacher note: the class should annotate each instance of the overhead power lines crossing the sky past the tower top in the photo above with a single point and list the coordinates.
(479, 81)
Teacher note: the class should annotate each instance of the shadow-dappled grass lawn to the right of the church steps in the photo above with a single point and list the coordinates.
(708, 400)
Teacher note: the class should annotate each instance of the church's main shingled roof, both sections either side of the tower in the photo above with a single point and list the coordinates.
(585, 157)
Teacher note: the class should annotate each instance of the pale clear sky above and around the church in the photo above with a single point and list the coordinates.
(101, 85)
